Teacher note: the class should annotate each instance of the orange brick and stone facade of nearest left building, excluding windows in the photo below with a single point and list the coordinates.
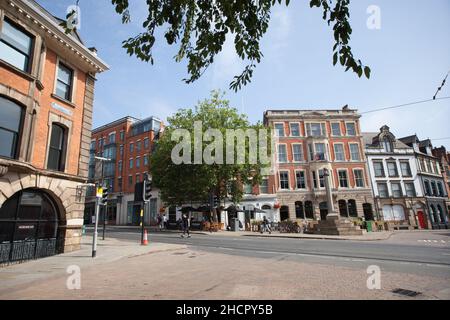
(34, 90)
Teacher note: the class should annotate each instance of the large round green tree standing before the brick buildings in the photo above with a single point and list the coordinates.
(184, 183)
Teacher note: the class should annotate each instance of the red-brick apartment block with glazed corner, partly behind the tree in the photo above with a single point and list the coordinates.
(127, 143)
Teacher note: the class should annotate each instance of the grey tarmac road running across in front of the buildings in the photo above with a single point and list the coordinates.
(410, 254)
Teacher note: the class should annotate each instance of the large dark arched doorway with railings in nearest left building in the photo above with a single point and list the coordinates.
(30, 227)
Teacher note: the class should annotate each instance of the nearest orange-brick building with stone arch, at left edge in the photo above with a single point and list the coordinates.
(47, 82)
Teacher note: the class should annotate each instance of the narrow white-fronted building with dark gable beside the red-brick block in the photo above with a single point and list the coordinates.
(397, 187)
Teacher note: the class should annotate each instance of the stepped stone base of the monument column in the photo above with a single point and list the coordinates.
(336, 227)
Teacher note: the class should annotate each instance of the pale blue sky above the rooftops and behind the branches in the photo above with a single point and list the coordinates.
(409, 56)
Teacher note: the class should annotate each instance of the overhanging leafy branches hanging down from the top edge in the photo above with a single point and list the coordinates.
(200, 28)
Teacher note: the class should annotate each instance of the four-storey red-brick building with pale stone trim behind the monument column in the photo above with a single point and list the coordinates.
(309, 141)
